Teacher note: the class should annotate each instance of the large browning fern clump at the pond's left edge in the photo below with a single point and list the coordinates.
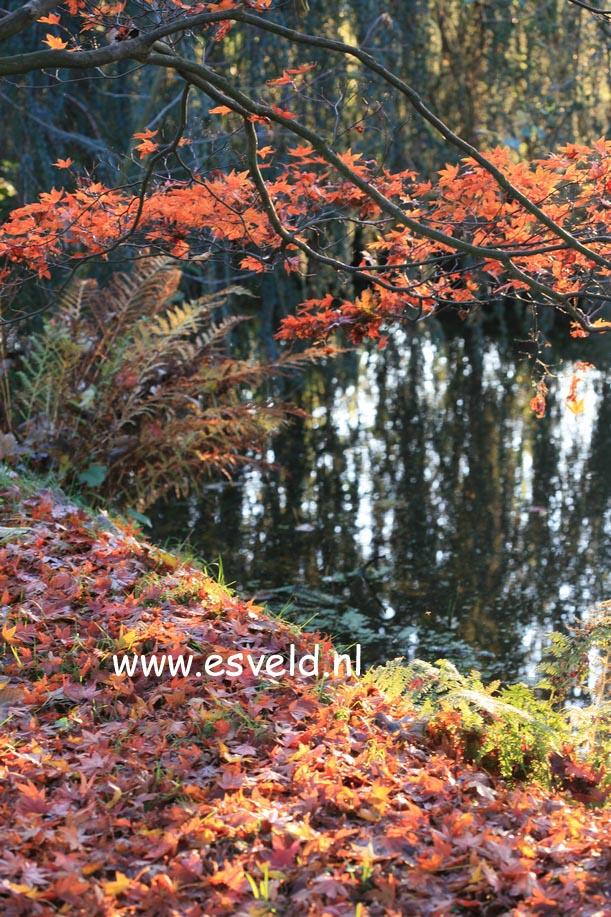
(129, 390)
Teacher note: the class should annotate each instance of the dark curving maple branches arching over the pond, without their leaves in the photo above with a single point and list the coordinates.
(149, 48)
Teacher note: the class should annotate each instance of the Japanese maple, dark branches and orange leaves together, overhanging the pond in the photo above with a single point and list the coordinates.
(487, 227)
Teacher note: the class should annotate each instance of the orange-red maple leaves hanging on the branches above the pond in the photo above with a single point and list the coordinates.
(409, 275)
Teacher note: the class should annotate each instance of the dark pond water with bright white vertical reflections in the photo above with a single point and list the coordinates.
(424, 510)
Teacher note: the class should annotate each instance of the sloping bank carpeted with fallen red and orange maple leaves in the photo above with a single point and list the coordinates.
(195, 797)
